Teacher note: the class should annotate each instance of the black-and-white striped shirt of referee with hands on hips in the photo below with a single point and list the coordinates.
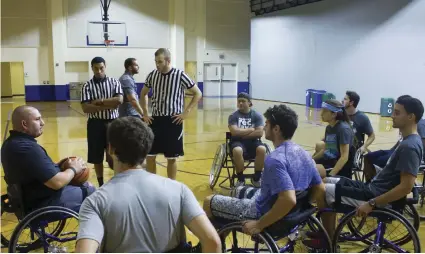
(168, 91)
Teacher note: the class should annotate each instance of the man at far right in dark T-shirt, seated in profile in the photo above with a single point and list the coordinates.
(393, 183)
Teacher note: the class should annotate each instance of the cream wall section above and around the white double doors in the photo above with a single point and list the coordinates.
(218, 27)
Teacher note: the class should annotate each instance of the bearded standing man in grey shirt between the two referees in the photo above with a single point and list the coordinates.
(130, 106)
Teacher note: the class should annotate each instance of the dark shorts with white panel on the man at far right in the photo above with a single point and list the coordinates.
(347, 192)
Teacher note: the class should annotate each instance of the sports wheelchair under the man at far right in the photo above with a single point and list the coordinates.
(383, 223)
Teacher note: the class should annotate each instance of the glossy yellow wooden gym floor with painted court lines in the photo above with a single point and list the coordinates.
(65, 135)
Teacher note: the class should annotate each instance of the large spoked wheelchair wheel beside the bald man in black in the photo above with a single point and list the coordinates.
(36, 226)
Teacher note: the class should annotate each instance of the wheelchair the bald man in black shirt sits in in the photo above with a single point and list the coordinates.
(44, 228)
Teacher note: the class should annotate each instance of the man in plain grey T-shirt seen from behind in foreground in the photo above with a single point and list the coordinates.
(137, 211)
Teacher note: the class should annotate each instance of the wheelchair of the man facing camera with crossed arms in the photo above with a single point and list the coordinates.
(223, 159)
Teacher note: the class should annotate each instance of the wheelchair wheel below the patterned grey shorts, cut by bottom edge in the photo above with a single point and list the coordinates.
(232, 236)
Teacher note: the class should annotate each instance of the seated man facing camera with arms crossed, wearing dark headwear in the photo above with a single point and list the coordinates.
(246, 127)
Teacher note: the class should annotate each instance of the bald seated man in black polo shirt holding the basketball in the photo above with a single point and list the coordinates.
(28, 165)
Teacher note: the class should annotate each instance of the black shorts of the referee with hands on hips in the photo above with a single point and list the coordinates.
(168, 138)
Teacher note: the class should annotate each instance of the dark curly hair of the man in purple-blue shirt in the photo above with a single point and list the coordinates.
(285, 117)
